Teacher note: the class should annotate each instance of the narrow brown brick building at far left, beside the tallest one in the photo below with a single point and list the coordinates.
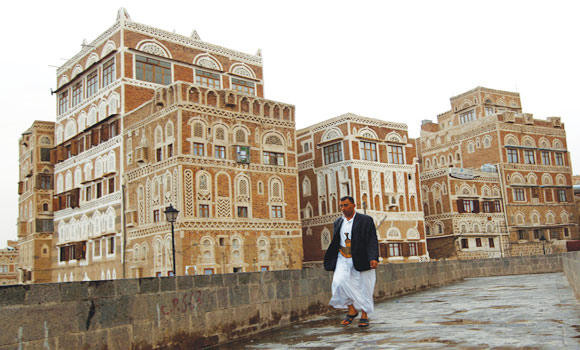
(35, 189)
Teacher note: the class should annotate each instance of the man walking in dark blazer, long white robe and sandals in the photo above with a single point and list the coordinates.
(353, 255)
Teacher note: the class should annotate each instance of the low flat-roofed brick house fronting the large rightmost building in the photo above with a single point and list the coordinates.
(464, 214)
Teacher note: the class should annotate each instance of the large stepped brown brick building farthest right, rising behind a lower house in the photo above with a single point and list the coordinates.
(486, 126)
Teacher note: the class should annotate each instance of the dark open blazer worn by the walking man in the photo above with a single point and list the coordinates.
(364, 243)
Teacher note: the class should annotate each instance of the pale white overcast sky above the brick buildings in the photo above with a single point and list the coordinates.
(392, 60)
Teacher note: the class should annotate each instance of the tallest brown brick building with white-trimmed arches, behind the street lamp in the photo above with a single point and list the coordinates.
(132, 71)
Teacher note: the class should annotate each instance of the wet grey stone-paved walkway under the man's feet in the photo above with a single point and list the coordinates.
(507, 312)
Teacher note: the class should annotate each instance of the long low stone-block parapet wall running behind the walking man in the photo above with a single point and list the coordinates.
(193, 311)
